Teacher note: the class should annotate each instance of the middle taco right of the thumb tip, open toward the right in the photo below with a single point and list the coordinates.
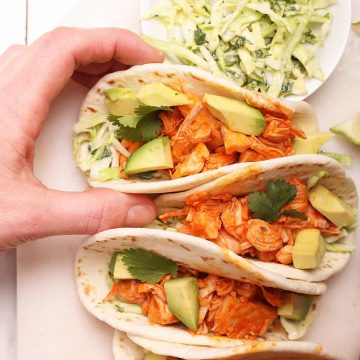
(293, 216)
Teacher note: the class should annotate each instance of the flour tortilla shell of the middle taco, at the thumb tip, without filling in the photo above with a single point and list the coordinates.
(255, 177)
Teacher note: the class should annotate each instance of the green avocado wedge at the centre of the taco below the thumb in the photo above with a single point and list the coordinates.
(182, 298)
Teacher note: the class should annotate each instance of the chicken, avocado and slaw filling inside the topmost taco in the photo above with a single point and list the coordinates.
(160, 133)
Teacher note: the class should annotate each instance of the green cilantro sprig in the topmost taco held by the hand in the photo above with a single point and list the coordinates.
(144, 125)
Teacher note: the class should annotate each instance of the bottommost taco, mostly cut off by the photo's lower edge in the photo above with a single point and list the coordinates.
(129, 347)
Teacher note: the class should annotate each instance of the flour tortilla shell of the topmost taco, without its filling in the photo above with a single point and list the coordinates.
(190, 80)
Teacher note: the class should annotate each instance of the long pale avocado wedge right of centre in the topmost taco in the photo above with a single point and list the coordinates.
(236, 115)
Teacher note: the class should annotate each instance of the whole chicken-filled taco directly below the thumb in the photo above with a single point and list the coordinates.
(166, 286)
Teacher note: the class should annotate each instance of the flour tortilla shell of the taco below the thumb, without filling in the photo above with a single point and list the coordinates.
(94, 255)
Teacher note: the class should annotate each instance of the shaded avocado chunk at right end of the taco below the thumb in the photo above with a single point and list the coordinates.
(294, 306)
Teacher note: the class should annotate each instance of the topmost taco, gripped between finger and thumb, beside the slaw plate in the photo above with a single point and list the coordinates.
(164, 128)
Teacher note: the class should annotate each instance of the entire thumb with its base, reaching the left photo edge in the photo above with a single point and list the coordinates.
(30, 211)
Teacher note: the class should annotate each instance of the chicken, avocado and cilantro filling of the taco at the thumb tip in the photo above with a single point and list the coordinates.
(287, 222)
